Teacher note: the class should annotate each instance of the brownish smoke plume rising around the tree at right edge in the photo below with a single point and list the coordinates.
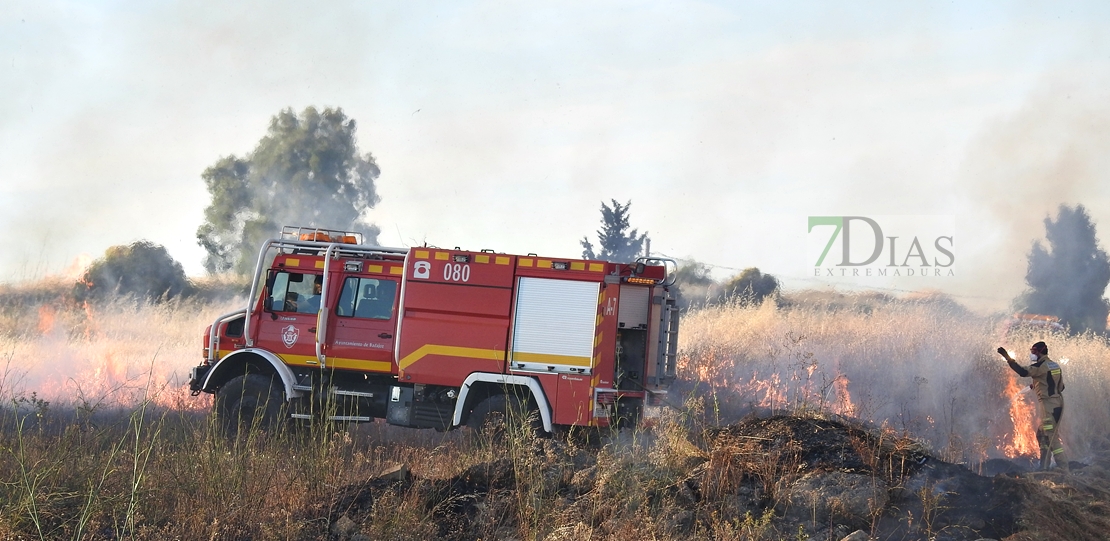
(1052, 152)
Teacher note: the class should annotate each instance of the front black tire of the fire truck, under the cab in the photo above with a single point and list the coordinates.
(249, 403)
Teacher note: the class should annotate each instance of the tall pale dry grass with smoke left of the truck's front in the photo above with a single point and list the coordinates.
(106, 356)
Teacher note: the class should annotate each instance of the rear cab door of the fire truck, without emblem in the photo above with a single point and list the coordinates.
(362, 326)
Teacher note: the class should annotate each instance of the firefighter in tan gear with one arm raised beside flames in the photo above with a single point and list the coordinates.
(1048, 384)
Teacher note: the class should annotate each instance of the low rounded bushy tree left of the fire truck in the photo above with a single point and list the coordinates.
(143, 269)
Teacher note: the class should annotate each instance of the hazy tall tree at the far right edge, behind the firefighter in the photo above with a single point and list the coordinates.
(1069, 279)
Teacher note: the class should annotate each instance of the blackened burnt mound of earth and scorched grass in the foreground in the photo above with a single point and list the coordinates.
(774, 478)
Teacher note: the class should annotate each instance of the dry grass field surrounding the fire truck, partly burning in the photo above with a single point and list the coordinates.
(100, 440)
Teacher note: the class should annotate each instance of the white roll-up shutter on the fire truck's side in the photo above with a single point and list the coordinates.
(554, 325)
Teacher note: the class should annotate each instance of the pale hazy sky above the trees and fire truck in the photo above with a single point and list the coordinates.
(504, 125)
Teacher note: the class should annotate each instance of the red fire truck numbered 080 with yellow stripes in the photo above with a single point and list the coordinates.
(437, 338)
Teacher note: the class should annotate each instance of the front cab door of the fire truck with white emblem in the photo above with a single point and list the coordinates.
(288, 324)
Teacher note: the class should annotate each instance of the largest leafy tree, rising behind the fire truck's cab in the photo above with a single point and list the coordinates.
(306, 172)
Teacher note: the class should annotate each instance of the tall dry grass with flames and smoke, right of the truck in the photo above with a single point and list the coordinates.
(927, 369)
